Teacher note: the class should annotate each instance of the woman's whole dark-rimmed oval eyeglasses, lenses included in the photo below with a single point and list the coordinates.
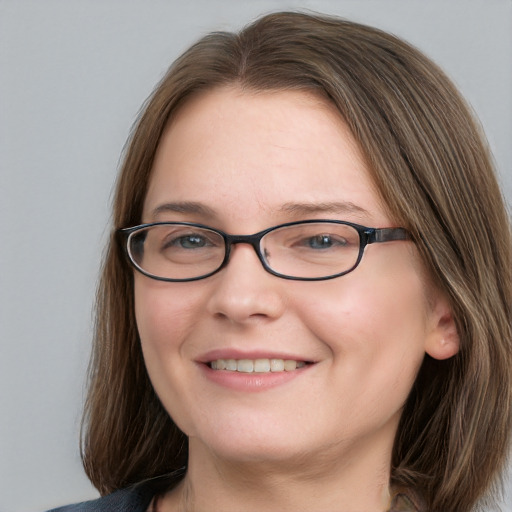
(310, 250)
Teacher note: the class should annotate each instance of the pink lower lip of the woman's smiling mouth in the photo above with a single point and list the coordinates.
(251, 382)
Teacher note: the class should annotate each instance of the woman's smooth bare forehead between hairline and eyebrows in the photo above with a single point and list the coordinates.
(253, 152)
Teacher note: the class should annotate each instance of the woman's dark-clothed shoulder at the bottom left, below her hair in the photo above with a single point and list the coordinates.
(134, 499)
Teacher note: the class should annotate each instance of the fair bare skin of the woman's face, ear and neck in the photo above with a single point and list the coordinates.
(323, 440)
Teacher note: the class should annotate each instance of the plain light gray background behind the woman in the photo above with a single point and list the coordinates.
(73, 74)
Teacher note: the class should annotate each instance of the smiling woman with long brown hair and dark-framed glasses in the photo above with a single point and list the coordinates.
(357, 356)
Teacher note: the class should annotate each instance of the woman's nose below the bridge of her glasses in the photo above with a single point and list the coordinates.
(244, 291)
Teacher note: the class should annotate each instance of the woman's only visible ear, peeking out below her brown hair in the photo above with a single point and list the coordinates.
(443, 339)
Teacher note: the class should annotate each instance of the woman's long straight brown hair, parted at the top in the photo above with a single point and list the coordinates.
(434, 172)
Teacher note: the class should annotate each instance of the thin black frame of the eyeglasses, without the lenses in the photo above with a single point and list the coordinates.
(367, 236)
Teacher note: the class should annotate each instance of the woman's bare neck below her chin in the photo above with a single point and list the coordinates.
(349, 482)
